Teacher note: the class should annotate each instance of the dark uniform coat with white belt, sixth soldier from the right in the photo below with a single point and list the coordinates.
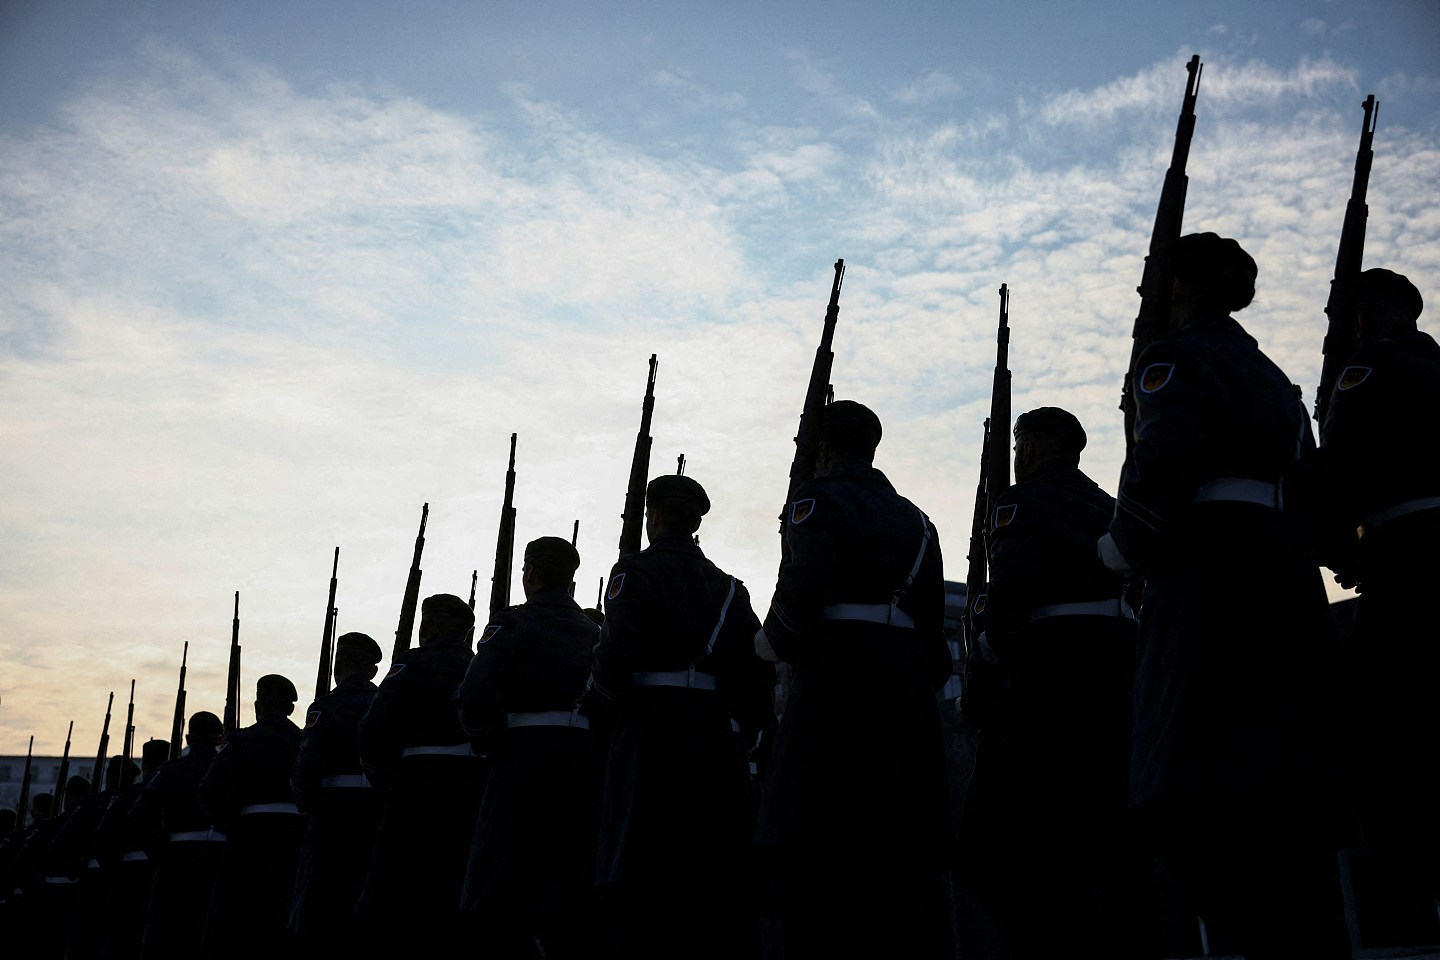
(532, 863)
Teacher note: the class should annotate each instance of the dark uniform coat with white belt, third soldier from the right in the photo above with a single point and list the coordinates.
(1045, 821)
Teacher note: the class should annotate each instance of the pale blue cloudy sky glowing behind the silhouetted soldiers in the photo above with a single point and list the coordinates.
(276, 276)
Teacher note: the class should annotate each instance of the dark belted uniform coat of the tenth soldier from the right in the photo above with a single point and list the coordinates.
(186, 848)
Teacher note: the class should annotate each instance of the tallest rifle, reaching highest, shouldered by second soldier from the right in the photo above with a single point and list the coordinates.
(1158, 280)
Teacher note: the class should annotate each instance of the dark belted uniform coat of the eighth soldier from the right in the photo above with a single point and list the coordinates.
(342, 815)
